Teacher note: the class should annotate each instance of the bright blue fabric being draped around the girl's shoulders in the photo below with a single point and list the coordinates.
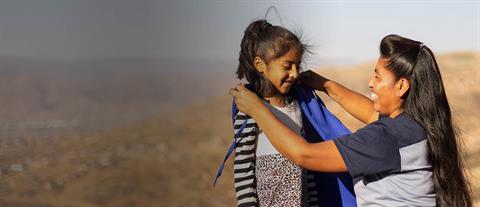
(334, 189)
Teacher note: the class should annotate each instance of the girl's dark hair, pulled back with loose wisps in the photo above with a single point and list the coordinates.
(267, 42)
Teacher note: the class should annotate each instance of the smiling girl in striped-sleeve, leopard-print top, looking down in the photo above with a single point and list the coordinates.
(270, 60)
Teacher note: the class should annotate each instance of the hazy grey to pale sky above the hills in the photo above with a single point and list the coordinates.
(212, 30)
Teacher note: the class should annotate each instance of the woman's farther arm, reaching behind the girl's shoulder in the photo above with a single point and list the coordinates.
(354, 103)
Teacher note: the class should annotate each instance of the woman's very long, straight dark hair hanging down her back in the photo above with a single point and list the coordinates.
(426, 103)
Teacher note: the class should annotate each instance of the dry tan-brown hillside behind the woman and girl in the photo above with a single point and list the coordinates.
(171, 158)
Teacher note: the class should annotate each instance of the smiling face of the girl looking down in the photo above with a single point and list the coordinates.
(283, 71)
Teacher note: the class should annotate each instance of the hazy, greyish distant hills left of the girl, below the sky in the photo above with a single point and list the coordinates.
(51, 98)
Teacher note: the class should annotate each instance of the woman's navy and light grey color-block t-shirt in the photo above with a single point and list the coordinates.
(388, 162)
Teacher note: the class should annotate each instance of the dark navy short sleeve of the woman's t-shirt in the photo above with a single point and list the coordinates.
(370, 150)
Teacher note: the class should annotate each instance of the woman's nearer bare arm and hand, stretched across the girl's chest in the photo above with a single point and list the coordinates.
(322, 156)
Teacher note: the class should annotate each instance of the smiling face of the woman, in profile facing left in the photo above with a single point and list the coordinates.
(385, 89)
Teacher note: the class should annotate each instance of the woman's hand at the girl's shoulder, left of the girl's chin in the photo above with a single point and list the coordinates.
(247, 101)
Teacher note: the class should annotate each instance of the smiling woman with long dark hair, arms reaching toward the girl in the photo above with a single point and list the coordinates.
(407, 155)
